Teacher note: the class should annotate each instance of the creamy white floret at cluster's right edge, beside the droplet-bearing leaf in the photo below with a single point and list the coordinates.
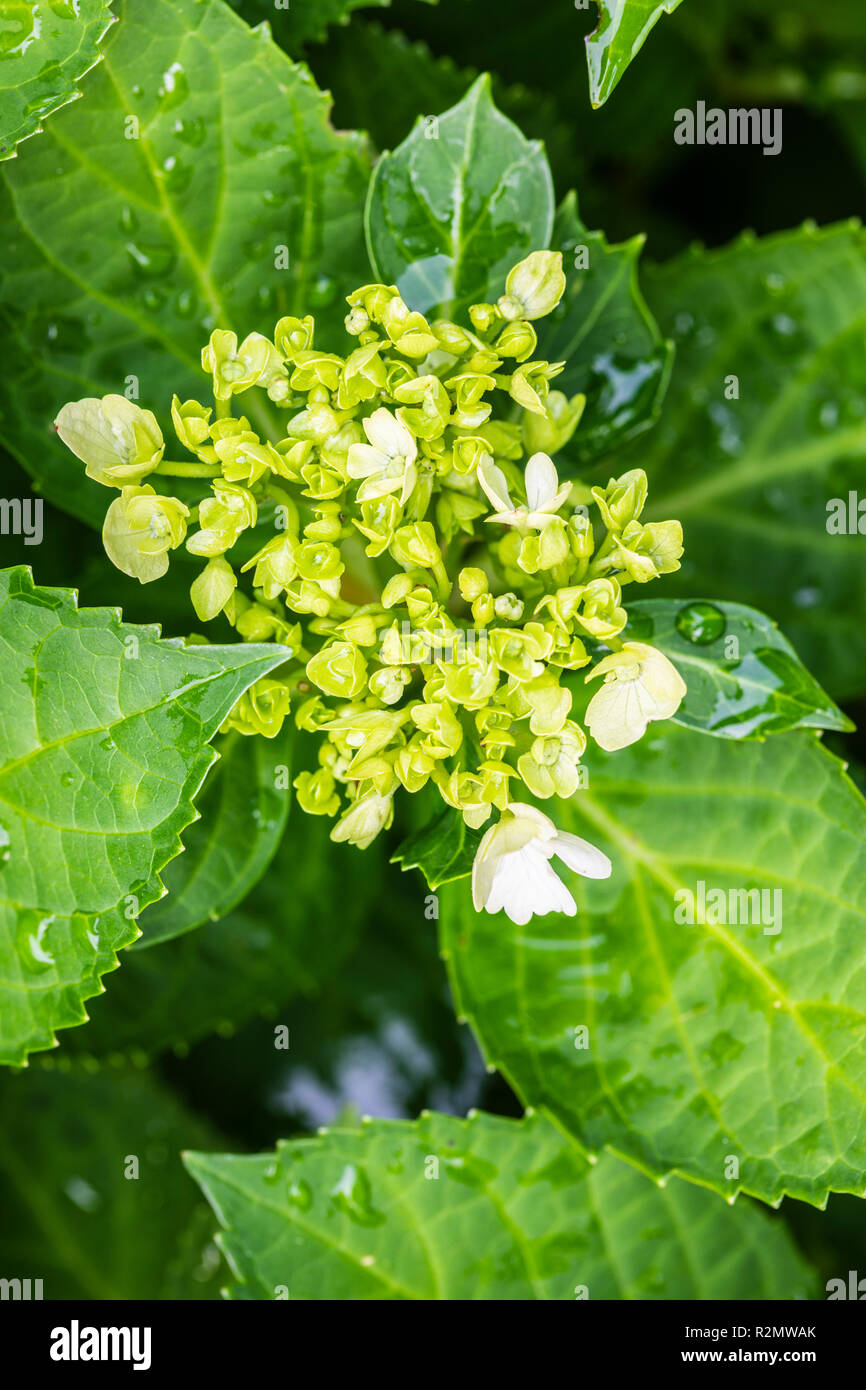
(640, 686)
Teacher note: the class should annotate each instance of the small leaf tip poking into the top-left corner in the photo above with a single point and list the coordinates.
(45, 51)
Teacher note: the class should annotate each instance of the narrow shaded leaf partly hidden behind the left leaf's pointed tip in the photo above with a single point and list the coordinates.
(244, 815)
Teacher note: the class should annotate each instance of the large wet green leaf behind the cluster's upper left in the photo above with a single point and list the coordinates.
(123, 254)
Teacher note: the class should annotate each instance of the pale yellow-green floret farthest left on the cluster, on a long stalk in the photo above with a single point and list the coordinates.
(117, 441)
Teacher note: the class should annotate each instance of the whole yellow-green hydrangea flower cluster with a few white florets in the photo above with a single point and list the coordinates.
(434, 582)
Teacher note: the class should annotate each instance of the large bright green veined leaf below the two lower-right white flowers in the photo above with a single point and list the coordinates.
(740, 1039)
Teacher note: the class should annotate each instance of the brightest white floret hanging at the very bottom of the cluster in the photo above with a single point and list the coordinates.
(512, 868)
